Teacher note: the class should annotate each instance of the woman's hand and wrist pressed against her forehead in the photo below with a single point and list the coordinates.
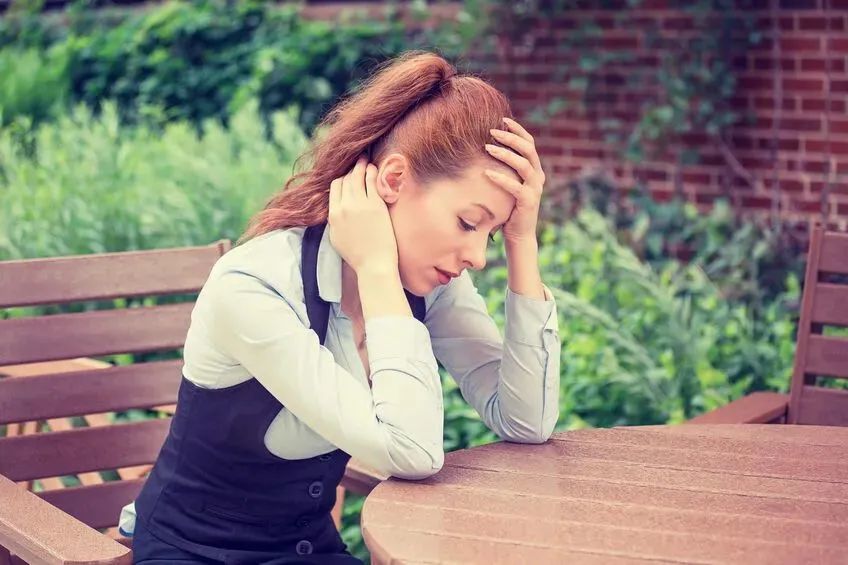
(522, 222)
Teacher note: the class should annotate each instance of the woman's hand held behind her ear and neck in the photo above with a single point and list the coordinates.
(359, 223)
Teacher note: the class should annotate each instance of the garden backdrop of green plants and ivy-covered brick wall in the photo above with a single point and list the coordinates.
(168, 124)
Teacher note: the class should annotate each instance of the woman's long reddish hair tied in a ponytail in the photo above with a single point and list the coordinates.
(416, 104)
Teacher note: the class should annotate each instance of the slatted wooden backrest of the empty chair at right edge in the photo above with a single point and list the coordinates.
(822, 346)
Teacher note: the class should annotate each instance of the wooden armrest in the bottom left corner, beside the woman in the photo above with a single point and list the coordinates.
(38, 532)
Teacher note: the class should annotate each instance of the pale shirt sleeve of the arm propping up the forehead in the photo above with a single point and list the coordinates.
(513, 383)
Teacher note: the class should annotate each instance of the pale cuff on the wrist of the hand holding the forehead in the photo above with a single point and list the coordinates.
(528, 319)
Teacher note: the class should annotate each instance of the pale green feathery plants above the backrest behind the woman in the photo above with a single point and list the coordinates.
(94, 187)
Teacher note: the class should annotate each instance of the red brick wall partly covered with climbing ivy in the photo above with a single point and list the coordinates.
(793, 160)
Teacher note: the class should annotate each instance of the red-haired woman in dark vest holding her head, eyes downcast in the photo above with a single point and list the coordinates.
(308, 346)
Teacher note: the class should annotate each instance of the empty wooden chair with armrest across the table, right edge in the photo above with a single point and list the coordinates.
(824, 303)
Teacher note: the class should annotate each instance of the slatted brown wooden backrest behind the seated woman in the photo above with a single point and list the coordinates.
(93, 332)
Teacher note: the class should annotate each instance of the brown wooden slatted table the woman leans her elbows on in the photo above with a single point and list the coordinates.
(694, 494)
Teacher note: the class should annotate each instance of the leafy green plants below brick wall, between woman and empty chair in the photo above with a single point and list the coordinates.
(644, 345)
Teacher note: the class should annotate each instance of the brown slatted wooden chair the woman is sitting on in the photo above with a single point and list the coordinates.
(56, 403)
